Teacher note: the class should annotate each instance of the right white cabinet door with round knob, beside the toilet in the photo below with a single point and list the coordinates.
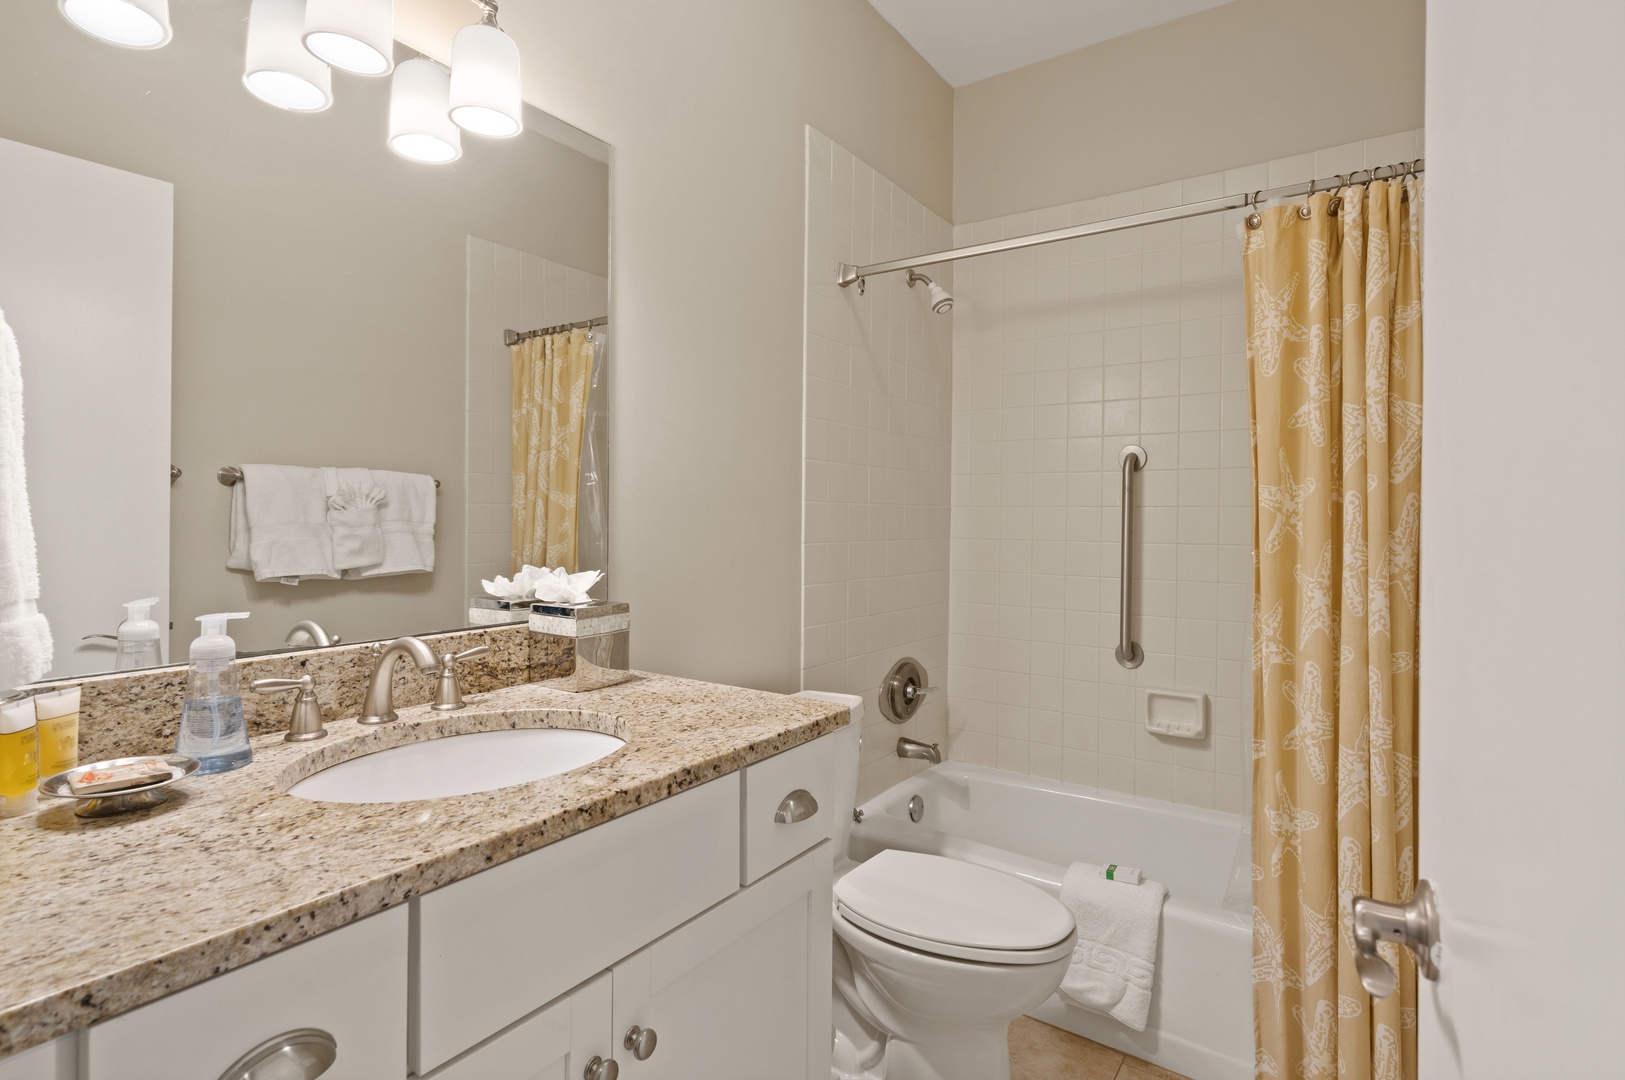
(742, 993)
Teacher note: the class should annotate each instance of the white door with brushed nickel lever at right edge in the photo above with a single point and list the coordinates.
(1523, 548)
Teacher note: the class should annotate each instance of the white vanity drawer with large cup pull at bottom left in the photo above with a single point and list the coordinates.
(350, 983)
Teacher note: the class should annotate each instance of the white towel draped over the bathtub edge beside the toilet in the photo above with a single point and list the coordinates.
(1116, 959)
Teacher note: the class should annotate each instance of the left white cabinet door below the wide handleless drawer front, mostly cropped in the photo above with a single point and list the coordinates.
(553, 1043)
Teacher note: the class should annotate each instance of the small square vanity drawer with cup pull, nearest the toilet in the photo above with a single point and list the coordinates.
(769, 844)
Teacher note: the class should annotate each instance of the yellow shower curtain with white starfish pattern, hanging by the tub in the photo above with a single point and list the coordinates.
(1335, 360)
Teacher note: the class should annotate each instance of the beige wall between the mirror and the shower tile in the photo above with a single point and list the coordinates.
(706, 106)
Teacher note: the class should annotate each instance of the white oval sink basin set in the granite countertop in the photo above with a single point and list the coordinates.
(457, 766)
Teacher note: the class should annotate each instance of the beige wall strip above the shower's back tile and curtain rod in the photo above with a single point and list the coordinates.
(1224, 89)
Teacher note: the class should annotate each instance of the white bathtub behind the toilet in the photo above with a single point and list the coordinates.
(1202, 1008)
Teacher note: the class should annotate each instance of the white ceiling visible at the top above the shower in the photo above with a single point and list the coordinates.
(974, 40)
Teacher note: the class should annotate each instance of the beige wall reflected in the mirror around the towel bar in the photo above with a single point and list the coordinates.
(319, 296)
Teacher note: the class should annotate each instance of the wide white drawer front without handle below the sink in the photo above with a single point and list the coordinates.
(496, 946)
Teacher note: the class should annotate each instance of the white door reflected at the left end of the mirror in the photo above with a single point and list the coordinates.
(87, 283)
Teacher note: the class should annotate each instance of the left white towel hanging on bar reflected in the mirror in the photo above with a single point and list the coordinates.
(279, 525)
